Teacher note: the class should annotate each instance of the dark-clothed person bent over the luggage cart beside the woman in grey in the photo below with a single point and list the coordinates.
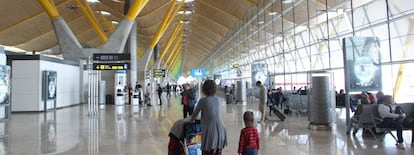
(176, 135)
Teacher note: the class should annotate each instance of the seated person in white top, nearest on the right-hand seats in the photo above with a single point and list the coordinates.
(391, 119)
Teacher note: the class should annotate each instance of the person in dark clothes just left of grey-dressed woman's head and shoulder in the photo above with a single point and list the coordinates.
(187, 99)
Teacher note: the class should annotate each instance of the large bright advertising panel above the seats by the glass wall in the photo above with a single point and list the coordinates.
(362, 63)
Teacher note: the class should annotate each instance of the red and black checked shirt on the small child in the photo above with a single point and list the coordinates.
(249, 138)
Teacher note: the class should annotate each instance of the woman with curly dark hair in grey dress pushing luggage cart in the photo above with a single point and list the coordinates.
(214, 135)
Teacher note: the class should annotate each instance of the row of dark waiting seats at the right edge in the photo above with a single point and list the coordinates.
(369, 118)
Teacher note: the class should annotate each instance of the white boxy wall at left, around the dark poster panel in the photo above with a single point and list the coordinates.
(27, 80)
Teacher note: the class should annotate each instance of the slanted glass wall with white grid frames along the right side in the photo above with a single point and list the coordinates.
(295, 37)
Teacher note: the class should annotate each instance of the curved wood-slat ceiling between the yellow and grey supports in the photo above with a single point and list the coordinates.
(25, 25)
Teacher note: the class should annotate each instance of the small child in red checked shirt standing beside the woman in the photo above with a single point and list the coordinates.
(249, 142)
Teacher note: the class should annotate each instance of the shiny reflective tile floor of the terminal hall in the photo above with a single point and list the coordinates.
(132, 130)
